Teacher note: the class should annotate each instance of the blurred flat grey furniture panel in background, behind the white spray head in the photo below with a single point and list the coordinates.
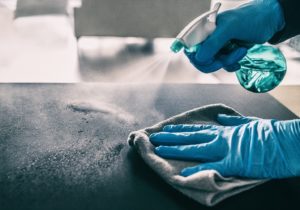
(136, 18)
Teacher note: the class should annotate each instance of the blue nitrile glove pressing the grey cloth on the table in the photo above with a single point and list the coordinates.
(241, 146)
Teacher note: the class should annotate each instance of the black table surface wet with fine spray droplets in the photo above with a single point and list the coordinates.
(63, 146)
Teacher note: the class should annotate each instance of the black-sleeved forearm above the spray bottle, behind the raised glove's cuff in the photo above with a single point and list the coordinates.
(290, 9)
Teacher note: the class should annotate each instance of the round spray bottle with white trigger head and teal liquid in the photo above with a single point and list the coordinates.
(262, 69)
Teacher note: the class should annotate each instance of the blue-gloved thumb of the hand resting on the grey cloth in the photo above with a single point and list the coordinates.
(229, 120)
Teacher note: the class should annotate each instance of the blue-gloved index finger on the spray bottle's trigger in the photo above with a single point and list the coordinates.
(212, 45)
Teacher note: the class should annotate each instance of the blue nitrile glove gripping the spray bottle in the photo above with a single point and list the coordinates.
(254, 23)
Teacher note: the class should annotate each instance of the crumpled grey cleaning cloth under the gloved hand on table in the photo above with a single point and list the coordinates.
(206, 187)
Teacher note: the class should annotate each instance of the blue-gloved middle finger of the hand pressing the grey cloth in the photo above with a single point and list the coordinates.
(183, 138)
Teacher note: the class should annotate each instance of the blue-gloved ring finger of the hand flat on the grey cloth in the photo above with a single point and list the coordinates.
(198, 152)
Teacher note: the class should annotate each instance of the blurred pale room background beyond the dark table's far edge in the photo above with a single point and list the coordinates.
(66, 41)
